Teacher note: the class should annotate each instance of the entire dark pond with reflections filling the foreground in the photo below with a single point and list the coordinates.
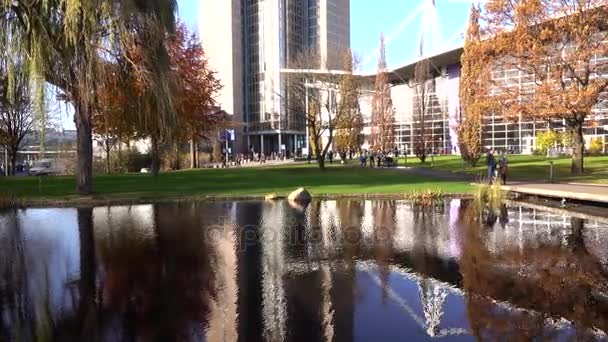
(341, 270)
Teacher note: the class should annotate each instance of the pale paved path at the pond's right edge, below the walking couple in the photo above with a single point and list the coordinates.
(581, 192)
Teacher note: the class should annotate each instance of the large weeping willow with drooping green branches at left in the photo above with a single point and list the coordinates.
(68, 43)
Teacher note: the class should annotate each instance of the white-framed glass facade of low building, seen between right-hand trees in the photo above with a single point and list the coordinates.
(516, 135)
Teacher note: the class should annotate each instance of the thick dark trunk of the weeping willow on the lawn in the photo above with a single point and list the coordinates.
(84, 150)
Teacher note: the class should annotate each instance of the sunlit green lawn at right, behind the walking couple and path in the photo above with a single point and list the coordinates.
(526, 167)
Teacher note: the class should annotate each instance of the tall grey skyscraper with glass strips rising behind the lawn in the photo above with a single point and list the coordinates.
(249, 42)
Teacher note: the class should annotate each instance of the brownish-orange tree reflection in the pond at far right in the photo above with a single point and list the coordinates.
(563, 280)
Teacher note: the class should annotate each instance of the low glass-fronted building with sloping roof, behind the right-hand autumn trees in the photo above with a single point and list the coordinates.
(444, 113)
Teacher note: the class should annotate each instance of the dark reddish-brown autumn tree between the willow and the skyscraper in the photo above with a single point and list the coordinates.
(193, 86)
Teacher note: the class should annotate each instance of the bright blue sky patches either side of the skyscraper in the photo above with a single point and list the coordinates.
(369, 18)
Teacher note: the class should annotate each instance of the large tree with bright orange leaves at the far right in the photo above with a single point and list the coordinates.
(558, 47)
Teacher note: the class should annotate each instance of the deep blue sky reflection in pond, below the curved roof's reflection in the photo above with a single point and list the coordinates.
(397, 310)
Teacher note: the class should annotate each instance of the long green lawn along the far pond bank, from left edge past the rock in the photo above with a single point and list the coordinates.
(335, 180)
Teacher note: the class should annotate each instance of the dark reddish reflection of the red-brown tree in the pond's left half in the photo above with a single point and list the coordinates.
(159, 286)
